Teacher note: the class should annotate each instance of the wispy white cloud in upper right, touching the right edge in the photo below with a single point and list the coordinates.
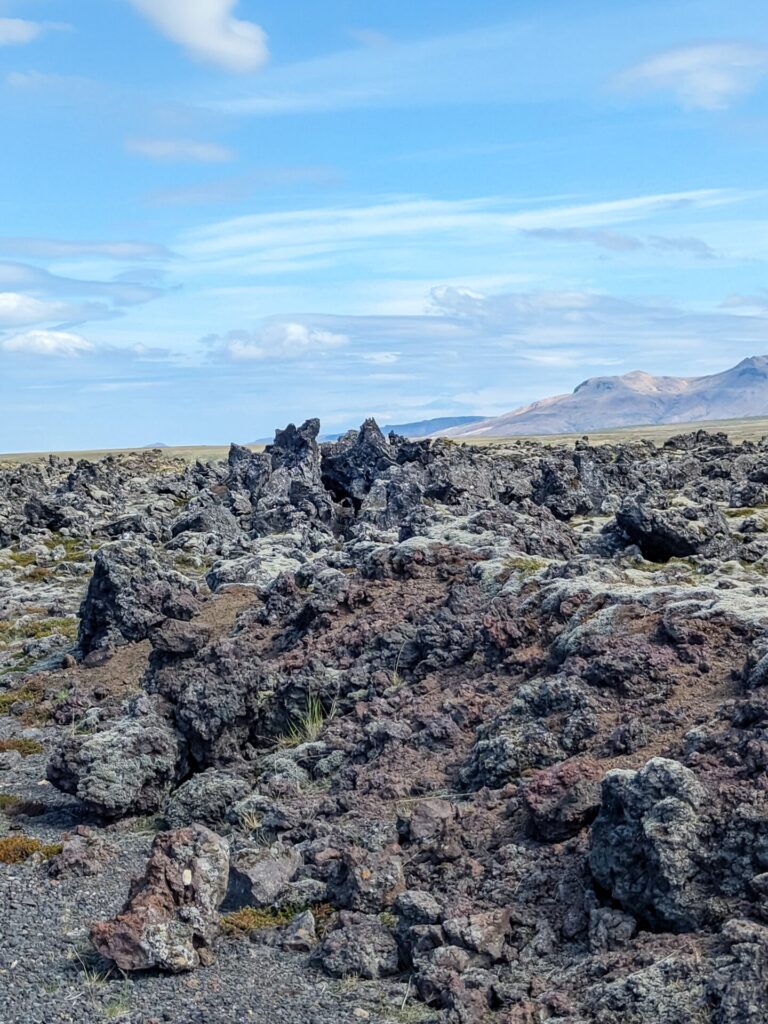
(710, 77)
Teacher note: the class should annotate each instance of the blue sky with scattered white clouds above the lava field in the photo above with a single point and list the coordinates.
(219, 217)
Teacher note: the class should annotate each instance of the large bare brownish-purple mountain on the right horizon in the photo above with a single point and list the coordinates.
(634, 400)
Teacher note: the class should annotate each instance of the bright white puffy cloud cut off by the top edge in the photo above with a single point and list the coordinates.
(209, 32)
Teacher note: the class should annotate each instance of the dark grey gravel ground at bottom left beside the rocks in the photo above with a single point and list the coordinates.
(50, 974)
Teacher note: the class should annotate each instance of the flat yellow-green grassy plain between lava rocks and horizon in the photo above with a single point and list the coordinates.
(738, 431)
